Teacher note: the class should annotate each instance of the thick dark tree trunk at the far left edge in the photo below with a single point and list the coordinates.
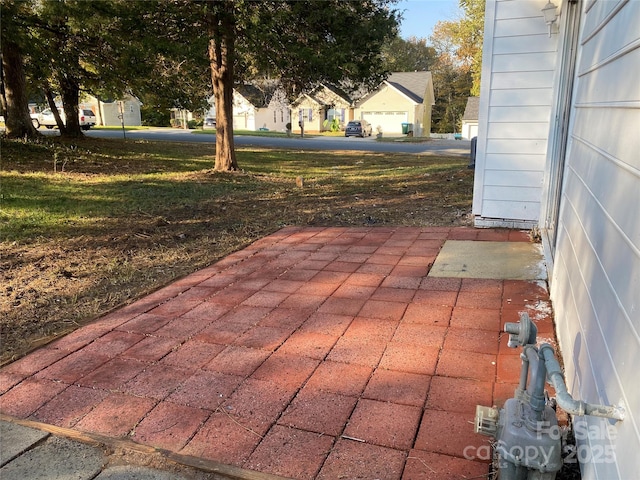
(17, 120)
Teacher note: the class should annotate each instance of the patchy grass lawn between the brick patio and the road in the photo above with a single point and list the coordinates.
(89, 226)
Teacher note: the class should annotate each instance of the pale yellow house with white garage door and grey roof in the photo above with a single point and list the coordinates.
(405, 97)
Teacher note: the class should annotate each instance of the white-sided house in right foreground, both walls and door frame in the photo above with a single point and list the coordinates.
(558, 148)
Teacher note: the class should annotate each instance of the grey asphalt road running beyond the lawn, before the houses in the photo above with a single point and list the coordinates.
(433, 147)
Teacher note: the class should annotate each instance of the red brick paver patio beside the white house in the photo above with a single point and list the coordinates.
(314, 353)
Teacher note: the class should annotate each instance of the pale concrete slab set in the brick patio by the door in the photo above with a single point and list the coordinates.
(496, 260)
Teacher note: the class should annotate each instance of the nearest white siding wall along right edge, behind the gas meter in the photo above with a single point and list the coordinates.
(595, 283)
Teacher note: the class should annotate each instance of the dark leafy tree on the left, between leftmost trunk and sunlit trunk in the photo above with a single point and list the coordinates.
(111, 47)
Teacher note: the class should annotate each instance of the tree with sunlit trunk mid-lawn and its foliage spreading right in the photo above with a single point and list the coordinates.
(295, 41)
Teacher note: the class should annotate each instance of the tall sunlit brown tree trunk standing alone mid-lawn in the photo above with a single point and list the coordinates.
(221, 57)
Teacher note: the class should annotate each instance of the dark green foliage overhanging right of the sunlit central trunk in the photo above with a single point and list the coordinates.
(305, 45)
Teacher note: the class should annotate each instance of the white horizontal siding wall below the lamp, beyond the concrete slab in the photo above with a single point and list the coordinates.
(518, 65)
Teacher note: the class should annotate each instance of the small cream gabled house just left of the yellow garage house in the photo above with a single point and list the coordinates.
(318, 108)
